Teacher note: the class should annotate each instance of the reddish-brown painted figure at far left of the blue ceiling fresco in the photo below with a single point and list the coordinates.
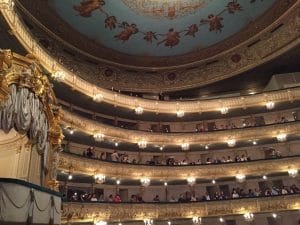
(86, 7)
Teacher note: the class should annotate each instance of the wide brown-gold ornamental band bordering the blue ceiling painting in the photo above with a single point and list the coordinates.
(271, 42)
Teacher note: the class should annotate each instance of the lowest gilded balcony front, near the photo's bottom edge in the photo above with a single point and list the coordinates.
(89, 212)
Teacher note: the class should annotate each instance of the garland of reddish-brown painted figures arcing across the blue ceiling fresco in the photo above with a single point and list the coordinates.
(170, 38)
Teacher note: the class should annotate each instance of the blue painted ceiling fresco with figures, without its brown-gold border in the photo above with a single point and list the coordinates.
(159, 27)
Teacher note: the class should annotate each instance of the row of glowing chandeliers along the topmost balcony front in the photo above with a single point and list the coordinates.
(60, 76)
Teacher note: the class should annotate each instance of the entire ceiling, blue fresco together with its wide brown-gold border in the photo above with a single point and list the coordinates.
(161, 45)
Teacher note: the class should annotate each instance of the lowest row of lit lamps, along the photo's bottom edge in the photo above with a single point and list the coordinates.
(249, 217)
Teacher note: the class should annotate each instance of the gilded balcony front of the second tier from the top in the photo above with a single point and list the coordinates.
(118, 134)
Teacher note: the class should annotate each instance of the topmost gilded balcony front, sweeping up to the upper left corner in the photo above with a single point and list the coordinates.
(32, 45)
